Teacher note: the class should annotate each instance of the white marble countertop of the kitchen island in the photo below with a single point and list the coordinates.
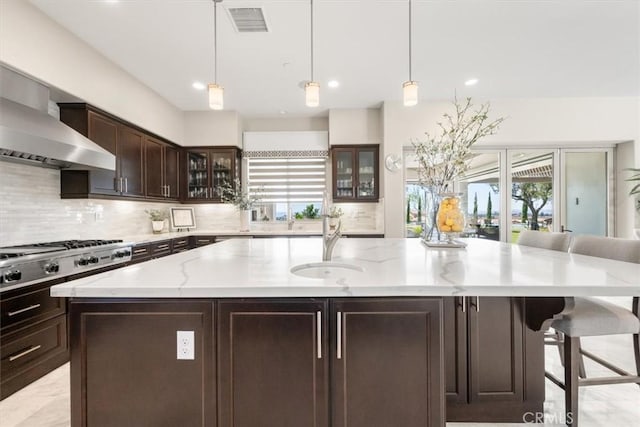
(392, 267)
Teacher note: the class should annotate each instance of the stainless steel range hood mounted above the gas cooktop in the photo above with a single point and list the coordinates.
(31, 135)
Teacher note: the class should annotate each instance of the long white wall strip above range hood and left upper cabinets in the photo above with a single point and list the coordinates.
(32, 43)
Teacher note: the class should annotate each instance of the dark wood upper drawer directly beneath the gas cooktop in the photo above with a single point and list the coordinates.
(29, 304)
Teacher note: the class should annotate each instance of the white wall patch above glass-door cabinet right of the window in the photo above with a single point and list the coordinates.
(355, 126)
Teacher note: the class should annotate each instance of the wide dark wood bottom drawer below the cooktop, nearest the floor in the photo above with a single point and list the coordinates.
(29, 353)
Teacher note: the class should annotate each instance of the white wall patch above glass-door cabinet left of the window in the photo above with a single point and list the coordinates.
(211, 128)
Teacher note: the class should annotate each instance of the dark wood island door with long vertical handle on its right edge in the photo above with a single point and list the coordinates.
(273, 369)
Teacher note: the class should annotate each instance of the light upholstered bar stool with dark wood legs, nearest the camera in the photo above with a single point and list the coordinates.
(595, 317)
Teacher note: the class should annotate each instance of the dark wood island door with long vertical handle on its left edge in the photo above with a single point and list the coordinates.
(387, 363)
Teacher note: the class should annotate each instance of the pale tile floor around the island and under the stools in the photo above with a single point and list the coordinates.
(45, 403)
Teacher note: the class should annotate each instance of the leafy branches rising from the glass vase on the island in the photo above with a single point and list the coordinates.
(444, 158)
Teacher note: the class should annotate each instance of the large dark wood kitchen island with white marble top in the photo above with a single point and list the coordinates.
(377, 347)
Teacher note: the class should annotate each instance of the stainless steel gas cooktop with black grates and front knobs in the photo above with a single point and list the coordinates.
(33, 263)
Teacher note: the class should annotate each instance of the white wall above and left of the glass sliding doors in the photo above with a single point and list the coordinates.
(530, 122)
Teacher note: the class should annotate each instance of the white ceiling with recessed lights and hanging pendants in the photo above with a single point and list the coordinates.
(516, 48)
